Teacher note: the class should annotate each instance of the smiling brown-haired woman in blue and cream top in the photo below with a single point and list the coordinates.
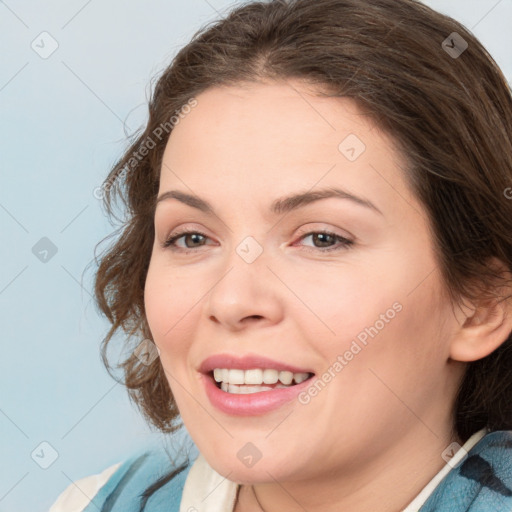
(314, 275)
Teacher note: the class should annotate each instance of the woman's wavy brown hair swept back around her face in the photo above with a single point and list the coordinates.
(451, 116)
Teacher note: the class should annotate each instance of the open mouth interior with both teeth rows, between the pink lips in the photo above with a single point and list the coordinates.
(256, 380)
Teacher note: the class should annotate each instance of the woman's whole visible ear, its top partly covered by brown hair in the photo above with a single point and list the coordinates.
(485, 325)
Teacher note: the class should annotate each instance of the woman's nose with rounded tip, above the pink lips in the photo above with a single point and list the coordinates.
(246, 293)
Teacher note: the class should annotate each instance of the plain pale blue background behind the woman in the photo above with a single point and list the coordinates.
(62, 125)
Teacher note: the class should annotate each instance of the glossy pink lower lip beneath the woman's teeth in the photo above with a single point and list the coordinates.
(252, 403)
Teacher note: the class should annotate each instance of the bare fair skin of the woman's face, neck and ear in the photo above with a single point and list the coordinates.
(373, 437)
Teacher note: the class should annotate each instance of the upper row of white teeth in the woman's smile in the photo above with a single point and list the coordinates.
(257, 376)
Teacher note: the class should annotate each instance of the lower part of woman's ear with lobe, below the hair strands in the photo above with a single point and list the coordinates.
(482, 332)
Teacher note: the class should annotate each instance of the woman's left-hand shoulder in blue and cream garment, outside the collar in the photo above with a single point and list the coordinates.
(143, 477)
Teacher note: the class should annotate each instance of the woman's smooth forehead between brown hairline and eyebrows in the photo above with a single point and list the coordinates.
(267, 139)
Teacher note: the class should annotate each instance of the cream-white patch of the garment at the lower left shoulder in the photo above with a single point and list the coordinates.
(80, 493)
